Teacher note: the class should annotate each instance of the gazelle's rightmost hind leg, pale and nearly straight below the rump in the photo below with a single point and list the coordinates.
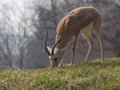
(101, 43)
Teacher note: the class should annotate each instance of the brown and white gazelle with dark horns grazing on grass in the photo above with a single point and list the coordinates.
(82, 20)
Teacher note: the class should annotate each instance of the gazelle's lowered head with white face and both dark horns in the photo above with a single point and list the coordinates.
(54, 53)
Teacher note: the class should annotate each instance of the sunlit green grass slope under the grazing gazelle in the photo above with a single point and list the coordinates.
(93, 75)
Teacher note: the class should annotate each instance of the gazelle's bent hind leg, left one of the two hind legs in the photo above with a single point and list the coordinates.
(90, 43)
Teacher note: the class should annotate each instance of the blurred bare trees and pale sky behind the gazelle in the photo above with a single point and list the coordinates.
(23, 24)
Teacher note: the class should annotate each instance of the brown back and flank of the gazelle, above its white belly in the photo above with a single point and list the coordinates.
(73, 22)
